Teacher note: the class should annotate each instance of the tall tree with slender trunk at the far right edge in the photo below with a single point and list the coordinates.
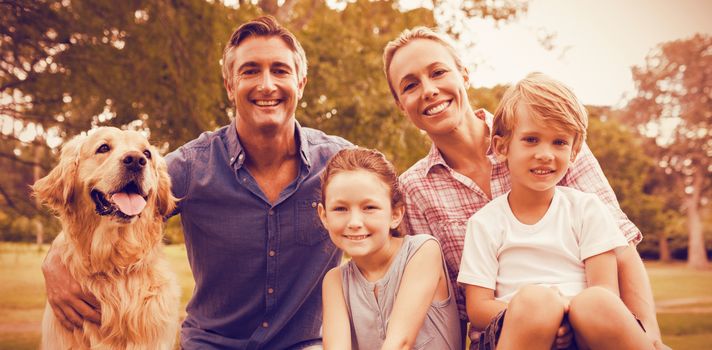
(675, 93)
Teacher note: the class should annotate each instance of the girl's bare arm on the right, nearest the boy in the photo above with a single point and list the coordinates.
(416, 292)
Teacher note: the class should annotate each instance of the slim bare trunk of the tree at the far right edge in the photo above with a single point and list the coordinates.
(696, 251)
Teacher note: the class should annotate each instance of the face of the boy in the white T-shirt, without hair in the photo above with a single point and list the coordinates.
(538, 155)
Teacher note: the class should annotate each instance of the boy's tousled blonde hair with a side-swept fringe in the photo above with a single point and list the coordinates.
(549, 101)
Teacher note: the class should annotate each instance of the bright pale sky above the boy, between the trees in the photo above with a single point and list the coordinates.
(597, 42)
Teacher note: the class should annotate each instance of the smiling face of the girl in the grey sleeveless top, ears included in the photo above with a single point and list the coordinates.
(357, 213)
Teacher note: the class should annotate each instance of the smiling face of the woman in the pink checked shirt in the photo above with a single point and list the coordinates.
(431, 89)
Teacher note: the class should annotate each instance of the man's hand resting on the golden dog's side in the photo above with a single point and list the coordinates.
(71, 306)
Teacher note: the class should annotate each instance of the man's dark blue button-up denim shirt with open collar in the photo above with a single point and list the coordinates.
(258, 267)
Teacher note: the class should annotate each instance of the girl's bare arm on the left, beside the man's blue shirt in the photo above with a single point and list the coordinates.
(336, 326)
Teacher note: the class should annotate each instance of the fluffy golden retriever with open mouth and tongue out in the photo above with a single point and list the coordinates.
(111, 191)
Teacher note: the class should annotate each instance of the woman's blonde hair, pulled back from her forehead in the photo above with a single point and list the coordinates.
(406, 37)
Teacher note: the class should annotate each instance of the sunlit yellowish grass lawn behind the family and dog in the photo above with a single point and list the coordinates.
(22, 297)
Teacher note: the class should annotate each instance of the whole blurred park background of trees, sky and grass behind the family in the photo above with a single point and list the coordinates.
(71, 65)
